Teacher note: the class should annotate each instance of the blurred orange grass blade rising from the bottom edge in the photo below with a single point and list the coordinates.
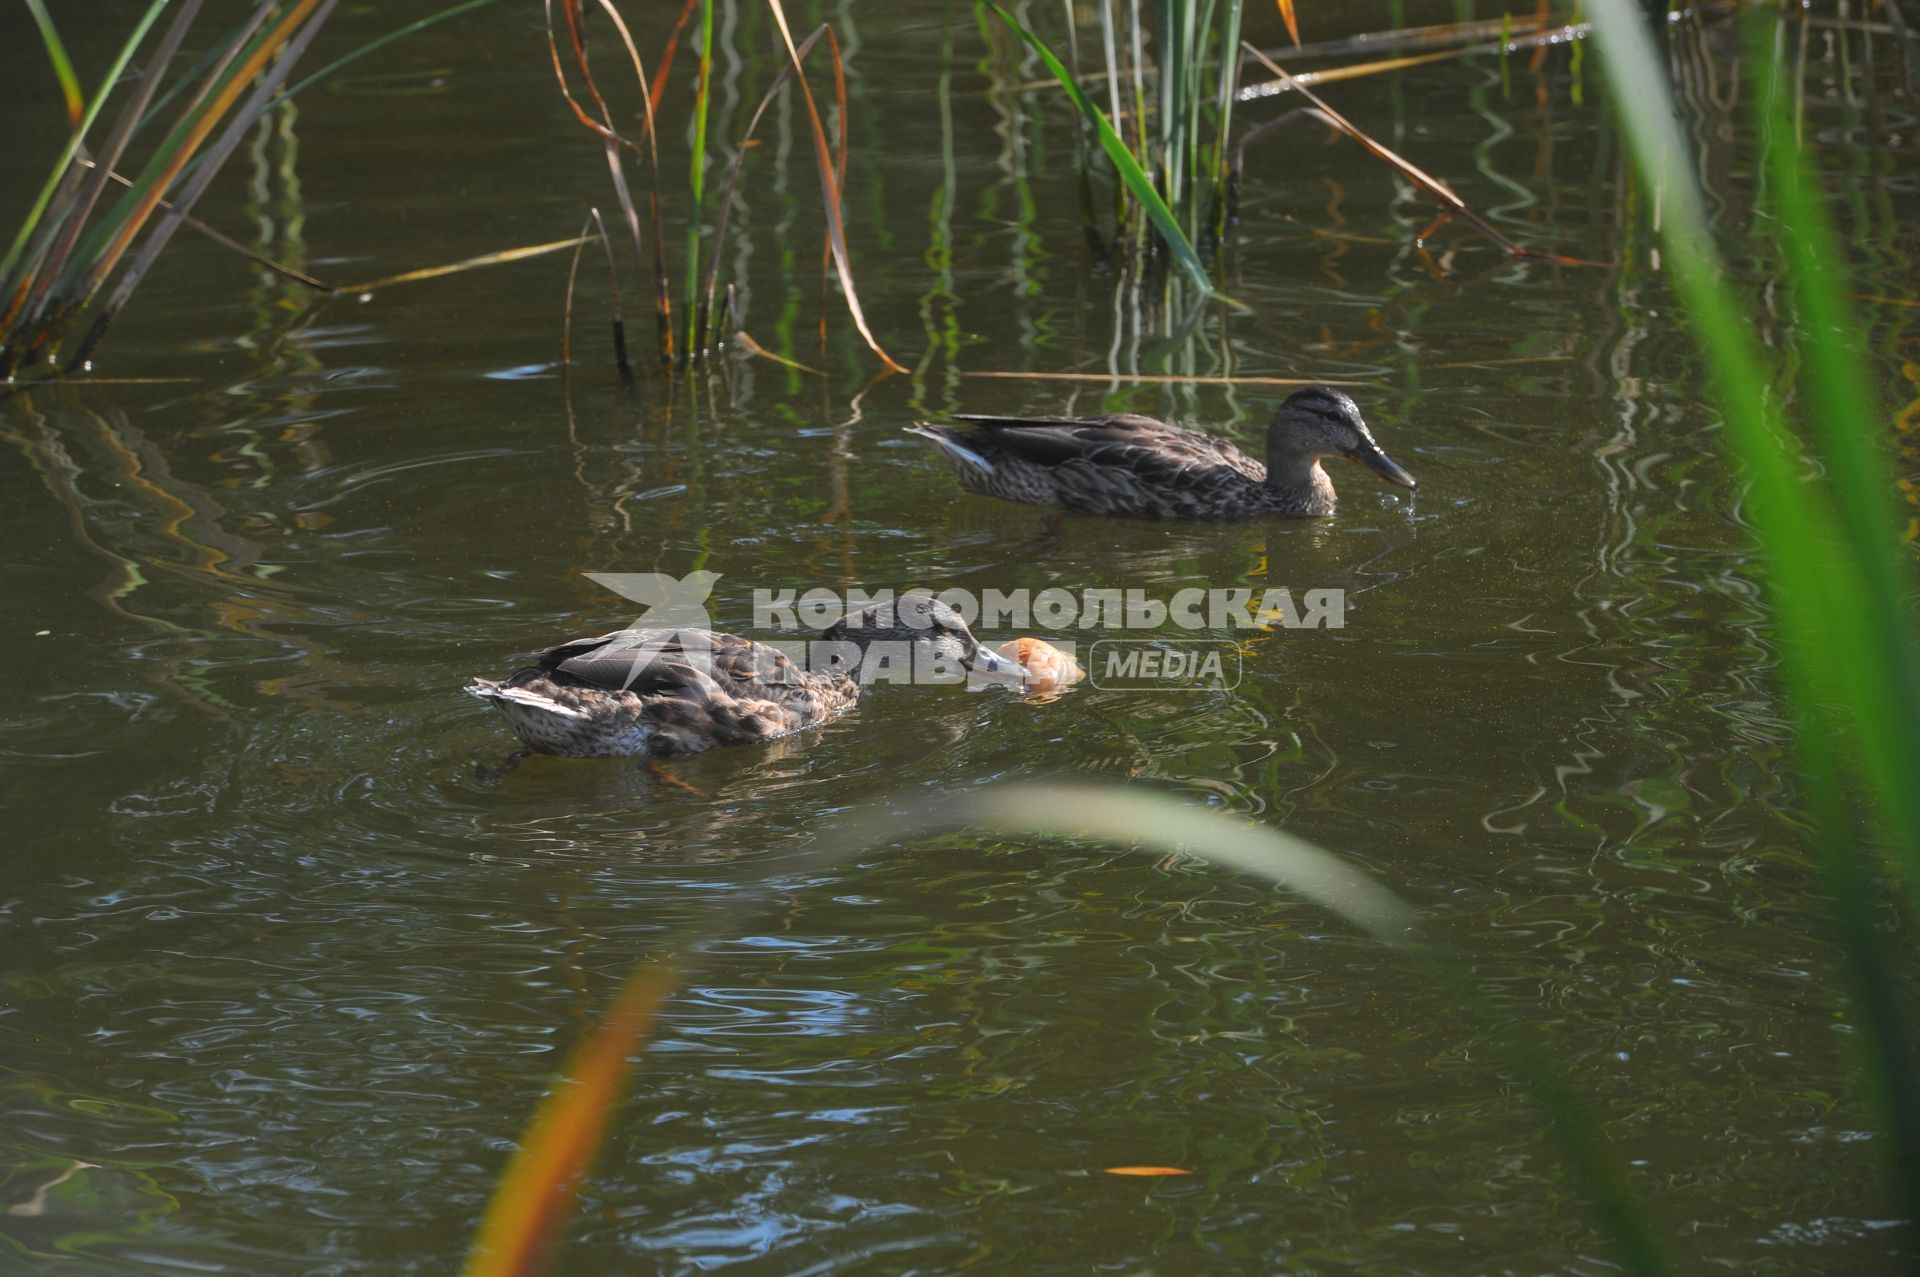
(537, 1193)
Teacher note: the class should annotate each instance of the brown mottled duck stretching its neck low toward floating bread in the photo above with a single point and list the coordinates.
(652, 694)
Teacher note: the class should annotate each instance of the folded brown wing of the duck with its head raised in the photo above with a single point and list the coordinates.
(1161, 454)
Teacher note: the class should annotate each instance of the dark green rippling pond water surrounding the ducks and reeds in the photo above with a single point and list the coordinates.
(285, 975)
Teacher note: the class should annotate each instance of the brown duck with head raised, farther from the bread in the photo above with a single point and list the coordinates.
(1143, 468)
